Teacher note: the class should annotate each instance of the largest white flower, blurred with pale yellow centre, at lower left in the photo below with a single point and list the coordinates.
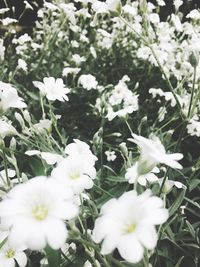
(35, 212)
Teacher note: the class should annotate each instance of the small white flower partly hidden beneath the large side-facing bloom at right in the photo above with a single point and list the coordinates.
(132, 175)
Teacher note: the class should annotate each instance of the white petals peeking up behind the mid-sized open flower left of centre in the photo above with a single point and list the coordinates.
(81, 149)
